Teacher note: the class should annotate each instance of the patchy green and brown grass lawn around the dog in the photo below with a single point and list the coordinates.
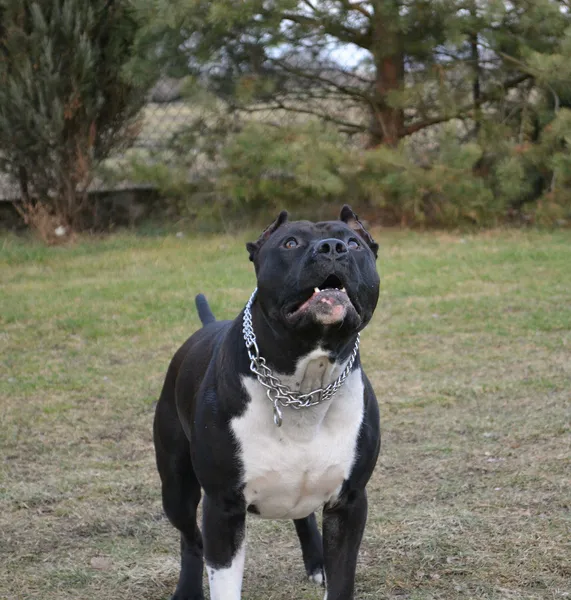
(470, 356)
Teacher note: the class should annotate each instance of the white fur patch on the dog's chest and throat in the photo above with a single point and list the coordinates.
(291, 471)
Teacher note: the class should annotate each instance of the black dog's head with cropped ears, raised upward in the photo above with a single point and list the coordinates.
(318, 276)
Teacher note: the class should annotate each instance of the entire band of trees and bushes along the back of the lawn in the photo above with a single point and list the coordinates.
(421, 112)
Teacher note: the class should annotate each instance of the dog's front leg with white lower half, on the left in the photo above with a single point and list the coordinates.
(224, 535)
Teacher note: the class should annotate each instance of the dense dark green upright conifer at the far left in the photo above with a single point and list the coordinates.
(64, 103)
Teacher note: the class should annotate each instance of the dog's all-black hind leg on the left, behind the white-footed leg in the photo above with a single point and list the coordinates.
(181, 495)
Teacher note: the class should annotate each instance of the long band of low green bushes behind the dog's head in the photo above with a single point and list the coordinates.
(444, 182)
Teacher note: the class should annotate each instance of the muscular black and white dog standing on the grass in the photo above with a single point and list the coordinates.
(272, 414)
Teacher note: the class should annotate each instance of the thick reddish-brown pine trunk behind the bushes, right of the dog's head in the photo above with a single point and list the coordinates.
(387, 123)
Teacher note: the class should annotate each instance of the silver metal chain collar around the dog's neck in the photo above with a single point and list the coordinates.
(278, 393)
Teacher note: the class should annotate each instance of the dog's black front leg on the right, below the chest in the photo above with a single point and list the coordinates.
(343, 525)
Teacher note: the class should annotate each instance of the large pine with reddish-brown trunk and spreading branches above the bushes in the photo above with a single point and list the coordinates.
(415, 63)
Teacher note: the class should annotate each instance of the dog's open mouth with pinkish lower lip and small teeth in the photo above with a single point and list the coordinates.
(328, 303)
